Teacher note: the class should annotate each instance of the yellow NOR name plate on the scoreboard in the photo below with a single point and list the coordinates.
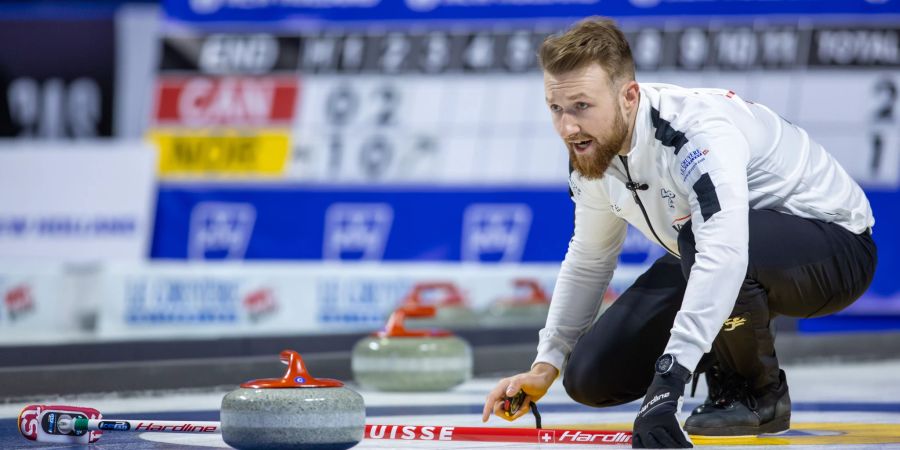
(222, 152)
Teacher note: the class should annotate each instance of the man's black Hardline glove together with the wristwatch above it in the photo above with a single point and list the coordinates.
(656, 425)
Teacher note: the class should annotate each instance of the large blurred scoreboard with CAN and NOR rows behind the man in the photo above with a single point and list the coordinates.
(461, 101)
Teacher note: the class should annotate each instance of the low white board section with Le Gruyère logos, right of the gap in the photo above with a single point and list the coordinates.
(174, 299)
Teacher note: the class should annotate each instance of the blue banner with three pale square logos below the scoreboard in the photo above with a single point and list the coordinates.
(309, 223)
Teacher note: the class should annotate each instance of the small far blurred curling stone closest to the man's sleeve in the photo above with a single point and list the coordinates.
(529, 307)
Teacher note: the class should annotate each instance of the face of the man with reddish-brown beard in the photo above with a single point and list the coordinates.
(586, 114)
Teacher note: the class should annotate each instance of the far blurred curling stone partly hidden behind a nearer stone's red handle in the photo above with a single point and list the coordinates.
(452, 311)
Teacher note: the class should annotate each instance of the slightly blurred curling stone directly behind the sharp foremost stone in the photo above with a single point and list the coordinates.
(399, 359)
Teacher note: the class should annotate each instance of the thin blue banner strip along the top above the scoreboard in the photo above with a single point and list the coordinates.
(410, 10)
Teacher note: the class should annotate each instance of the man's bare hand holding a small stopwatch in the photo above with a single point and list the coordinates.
(534, 382)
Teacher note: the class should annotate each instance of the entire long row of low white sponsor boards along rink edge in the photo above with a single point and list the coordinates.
(160, 300)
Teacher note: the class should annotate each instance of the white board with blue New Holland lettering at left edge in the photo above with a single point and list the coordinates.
(50, 212)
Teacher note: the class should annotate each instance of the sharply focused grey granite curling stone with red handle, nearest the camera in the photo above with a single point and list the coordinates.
(293, 412)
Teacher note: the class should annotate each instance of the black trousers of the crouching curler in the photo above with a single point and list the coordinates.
(797, 267)
